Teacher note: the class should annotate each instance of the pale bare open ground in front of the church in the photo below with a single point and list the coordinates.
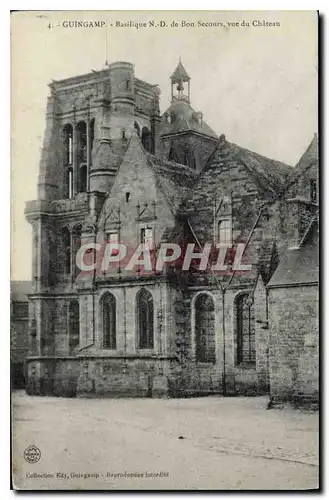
(203, 443)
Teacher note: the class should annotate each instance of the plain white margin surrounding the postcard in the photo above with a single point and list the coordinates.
(5, 150)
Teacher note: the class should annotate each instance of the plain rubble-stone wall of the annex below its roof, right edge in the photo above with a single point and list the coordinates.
(294, 343)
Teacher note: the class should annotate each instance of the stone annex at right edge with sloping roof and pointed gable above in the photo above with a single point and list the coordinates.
(293, 292)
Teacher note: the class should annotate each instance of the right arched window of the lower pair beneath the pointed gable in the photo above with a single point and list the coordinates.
(145, 320)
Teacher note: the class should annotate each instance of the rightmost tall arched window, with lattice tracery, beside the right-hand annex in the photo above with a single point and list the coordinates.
(245, 330)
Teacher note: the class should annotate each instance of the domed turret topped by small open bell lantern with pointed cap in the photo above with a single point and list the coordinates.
(185, 136)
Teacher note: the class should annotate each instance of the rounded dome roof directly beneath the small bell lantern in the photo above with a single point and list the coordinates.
(184, 120)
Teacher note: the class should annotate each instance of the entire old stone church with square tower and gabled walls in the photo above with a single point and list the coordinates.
(114, 169)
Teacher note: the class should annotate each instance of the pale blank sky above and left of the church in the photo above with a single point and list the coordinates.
(258, 86)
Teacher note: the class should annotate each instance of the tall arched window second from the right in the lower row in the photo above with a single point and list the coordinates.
(205, 329)
